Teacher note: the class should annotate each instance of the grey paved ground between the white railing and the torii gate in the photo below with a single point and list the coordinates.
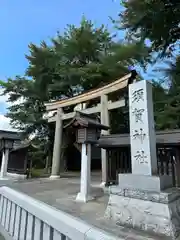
(62, 193)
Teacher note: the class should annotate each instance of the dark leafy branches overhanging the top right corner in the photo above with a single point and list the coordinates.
(157, 20)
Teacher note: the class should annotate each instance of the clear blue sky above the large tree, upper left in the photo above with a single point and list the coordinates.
(25, 21)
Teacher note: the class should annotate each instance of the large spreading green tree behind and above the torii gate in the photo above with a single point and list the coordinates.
(81, 58)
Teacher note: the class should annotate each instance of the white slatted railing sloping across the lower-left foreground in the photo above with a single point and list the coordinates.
(24, 218)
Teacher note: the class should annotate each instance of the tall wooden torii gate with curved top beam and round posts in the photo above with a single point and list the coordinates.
(103, 107)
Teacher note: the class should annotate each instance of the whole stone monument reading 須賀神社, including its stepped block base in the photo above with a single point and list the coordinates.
(144, 200)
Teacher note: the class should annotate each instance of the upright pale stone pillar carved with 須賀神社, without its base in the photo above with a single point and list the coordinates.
(142, 133)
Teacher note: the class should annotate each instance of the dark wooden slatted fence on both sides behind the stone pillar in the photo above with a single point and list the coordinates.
(119, 161)
